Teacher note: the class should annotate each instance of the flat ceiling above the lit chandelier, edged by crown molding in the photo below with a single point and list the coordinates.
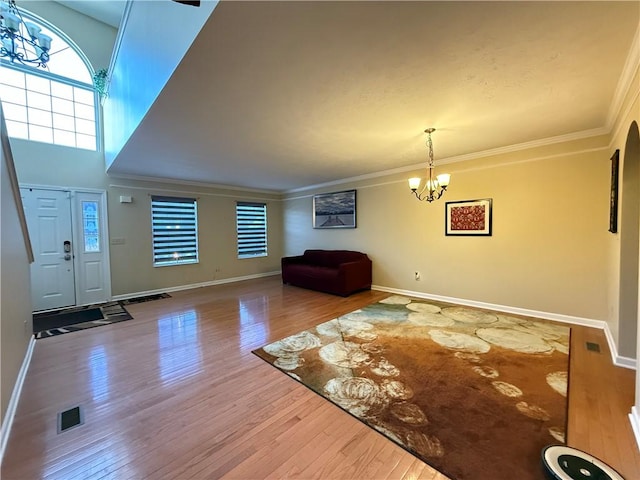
(284, 95)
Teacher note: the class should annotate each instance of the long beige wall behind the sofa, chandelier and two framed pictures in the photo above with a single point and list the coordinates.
(547, 251)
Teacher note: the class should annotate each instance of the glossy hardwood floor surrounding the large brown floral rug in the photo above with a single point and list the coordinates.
(177, 393)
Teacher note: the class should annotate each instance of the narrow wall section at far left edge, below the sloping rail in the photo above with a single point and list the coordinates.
(15, 299)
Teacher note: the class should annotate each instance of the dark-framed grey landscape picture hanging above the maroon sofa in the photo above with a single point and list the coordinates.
(335, 210)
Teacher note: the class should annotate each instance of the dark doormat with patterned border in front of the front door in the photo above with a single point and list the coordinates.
(73, 319)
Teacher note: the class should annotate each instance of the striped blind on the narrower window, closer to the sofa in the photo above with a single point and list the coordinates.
(251, 226)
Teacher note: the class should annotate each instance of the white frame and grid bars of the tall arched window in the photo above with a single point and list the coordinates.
(40, 72)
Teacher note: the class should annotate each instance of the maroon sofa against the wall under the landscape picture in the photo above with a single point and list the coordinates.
(340, 272)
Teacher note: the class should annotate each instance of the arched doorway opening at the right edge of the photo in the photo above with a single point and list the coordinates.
(629, 245)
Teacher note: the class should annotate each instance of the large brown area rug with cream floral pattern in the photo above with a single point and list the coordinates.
(473, 393)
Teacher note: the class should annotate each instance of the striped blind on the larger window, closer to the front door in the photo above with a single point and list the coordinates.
(175, 230)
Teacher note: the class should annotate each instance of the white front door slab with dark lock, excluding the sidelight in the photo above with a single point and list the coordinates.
(48, 215)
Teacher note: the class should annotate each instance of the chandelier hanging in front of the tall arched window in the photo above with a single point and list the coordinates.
(22, 41)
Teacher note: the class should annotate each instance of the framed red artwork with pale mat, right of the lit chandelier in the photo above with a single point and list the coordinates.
(469, 217)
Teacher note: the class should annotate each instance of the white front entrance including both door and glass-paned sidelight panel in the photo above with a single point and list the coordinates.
(68, 230)
